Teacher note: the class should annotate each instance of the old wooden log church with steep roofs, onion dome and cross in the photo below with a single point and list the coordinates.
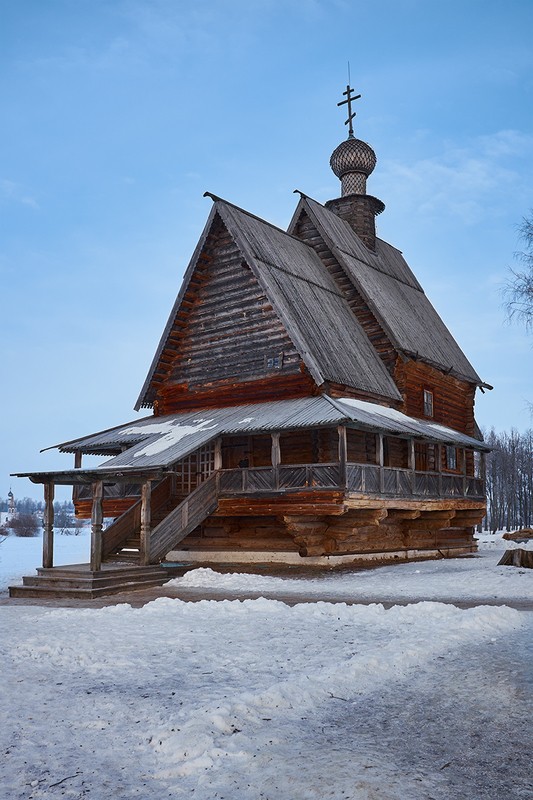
(308, 406)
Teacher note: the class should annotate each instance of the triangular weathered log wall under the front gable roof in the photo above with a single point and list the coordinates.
(227, 338)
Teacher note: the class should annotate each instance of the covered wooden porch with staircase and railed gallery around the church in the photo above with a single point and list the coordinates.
(369, 472)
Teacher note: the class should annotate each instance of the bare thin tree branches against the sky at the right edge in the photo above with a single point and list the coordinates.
(518, 291)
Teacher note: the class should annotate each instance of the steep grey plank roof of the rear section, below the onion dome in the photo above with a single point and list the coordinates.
(392, 293)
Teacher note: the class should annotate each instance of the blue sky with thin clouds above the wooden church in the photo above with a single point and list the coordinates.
(119, 114)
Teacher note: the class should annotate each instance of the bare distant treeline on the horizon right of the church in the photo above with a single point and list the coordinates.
(509, 480)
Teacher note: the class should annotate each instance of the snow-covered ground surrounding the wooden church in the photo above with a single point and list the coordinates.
(258, 700)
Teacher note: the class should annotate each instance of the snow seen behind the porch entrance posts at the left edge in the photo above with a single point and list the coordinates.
(22, 555)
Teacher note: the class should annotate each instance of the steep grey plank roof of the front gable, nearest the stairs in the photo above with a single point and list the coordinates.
(316, 316)
